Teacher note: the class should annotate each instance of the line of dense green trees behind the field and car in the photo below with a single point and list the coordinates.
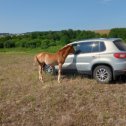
(54, 38)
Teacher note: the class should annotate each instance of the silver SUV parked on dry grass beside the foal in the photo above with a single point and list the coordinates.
(102, 58)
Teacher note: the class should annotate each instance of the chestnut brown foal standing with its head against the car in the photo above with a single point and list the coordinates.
(57, 58)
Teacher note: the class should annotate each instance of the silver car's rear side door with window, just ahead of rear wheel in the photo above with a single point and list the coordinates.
(86, 53)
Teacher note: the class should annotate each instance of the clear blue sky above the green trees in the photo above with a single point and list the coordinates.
(20, 16)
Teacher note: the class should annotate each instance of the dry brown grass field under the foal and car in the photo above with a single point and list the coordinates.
(77, 101)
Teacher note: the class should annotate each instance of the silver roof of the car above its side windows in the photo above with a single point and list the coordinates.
(97, 39)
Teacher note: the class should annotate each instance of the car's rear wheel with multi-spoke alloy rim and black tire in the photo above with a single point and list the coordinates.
(103, 74)
